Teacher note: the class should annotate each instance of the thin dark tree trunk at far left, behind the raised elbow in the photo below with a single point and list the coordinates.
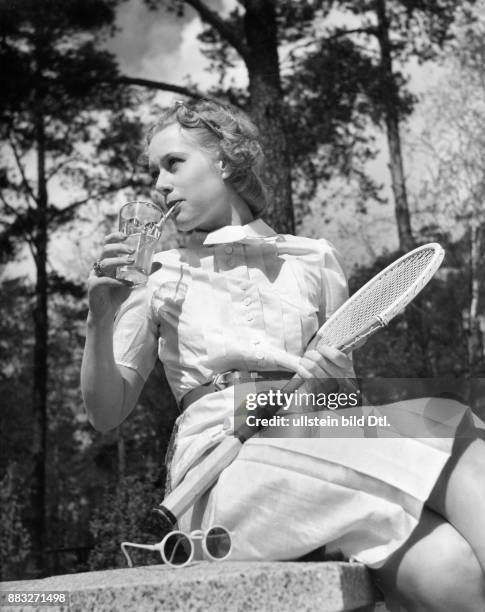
(39, 421)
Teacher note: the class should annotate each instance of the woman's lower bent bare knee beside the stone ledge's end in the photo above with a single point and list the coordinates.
(436, 570)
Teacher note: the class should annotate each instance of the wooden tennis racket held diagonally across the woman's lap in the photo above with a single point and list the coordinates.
(369, 309)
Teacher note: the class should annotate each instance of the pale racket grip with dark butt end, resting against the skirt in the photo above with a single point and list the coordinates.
(199, 479)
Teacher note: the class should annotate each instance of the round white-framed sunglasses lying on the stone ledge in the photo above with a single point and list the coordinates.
(177, 548)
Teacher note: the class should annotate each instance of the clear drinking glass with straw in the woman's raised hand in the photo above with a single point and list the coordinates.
(141, 222)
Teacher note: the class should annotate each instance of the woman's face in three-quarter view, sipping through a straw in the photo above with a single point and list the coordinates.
(189, 176)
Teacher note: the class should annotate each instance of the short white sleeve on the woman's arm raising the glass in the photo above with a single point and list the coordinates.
(135, 337)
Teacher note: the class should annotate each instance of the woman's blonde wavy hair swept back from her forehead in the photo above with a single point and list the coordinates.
(224, 131)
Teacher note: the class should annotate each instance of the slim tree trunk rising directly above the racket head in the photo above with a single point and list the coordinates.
(406, 240)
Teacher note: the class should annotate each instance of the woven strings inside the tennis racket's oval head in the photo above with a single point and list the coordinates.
(403, 279)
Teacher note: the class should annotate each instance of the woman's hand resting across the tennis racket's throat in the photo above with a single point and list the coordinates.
(322, 361)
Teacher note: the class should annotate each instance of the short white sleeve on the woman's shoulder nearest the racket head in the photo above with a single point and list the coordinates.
(334, 280)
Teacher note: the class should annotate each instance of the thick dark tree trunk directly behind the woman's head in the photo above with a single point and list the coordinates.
(267, 108)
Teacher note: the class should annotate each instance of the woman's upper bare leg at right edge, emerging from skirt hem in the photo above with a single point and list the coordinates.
(459, 493)
